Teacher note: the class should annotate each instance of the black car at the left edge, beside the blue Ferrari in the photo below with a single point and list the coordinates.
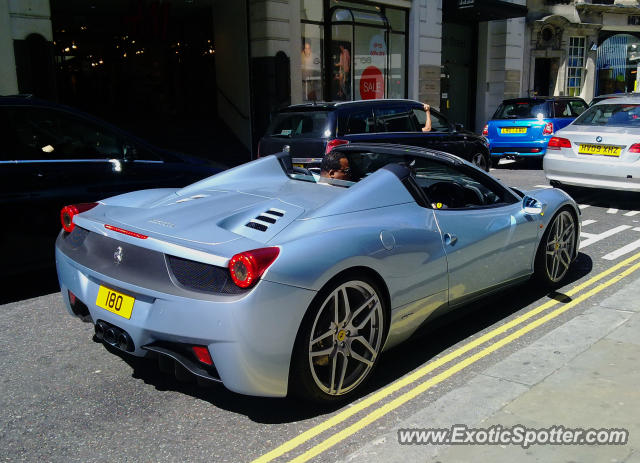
(52, 155)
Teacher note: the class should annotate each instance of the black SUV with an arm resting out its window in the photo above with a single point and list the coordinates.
(308, 131)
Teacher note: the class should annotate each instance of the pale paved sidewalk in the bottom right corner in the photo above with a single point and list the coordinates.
(583, 374)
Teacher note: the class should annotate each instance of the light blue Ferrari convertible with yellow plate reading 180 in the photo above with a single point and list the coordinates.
(272, 280)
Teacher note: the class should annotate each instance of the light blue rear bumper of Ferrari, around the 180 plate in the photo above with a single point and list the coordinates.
(250, 336)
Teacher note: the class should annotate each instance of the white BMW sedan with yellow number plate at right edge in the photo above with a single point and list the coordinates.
(600, 149)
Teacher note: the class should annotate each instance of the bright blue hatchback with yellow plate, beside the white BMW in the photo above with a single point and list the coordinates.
(521, 127)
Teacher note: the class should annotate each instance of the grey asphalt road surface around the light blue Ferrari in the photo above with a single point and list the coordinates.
(66, 398)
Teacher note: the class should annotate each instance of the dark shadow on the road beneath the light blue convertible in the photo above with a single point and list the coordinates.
(434, 338)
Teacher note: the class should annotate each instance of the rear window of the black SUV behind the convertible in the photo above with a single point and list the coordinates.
(303, 124)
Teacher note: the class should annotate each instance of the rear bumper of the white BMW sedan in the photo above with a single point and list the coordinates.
(594, 173)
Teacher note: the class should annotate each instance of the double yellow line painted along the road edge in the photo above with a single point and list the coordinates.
(420, 373)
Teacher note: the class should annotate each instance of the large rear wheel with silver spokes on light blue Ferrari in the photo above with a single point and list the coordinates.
(332, 361)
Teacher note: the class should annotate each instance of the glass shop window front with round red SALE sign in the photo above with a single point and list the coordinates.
(352, 51)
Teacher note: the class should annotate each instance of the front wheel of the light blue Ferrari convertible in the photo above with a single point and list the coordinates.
(556, 249)
